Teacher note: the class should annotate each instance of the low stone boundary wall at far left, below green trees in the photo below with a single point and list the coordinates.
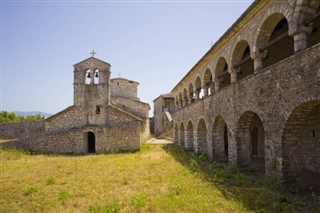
(21, 129)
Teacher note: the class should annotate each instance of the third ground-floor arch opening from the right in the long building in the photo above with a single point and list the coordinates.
(220, 143)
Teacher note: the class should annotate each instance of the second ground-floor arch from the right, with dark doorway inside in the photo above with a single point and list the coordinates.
(250, 137)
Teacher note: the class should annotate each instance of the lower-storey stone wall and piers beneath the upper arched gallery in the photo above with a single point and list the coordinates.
(272, 94)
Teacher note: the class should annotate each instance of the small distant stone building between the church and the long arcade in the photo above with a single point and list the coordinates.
(162, 119)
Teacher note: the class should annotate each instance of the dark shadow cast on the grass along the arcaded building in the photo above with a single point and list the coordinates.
(255, 192)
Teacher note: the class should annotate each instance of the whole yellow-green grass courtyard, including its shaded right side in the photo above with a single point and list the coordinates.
(160, 178)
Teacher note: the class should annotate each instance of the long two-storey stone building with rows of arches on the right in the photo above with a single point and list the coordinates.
(254, 98)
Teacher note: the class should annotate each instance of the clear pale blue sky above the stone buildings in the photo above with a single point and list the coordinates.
(153, 42)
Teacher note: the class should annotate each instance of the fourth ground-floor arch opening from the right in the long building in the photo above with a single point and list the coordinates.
(201, 139)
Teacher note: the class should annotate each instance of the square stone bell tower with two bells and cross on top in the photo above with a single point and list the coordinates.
(92, 88)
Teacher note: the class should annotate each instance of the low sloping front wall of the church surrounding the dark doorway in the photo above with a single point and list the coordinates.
(111, 138)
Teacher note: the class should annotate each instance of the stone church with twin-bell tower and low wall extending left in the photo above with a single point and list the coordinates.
(107, 116)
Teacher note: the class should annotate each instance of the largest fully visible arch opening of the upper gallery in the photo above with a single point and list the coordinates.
(273, 42)
